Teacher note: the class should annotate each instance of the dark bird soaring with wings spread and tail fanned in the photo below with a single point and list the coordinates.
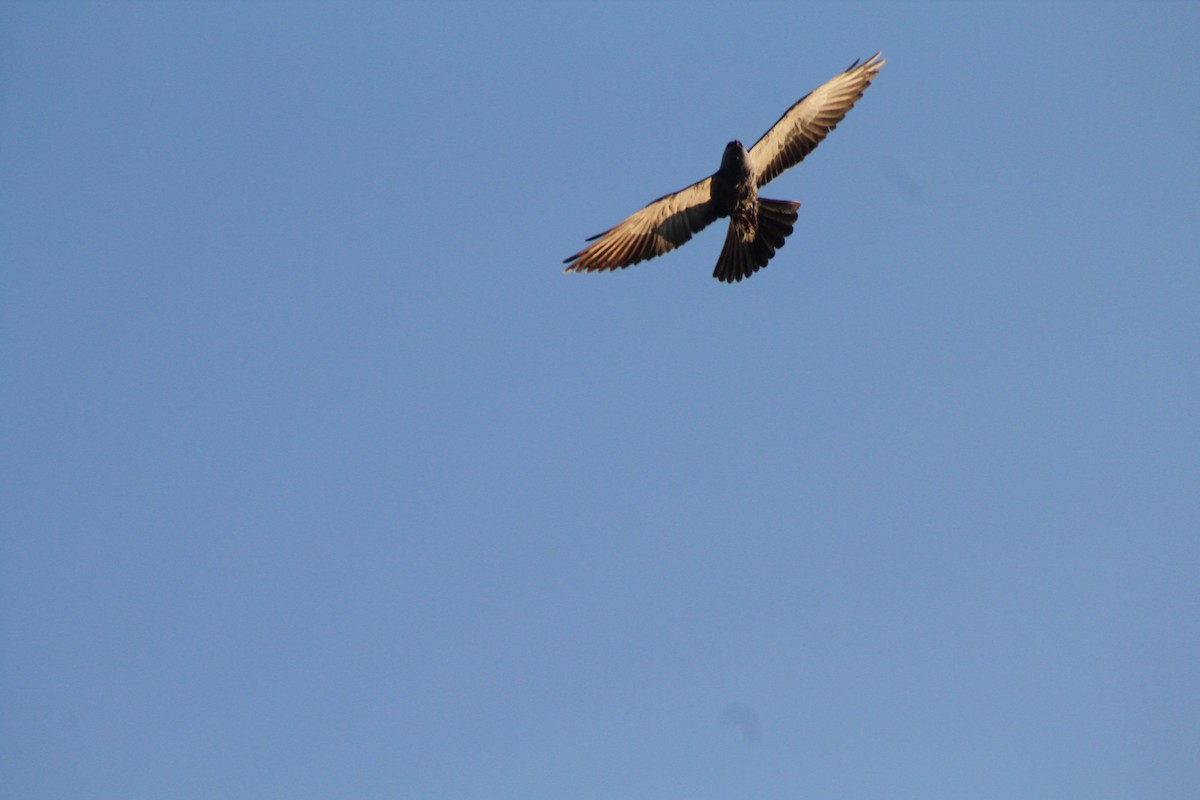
(758, 226)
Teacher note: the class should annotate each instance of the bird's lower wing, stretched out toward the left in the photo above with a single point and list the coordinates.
(658, 228)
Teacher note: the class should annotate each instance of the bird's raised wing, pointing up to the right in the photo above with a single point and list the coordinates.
(801, 130)
